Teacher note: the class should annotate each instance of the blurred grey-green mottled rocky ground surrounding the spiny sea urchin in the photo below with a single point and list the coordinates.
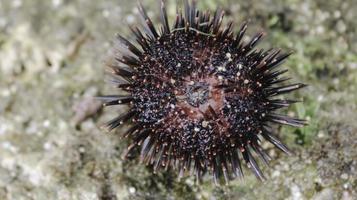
(52, 55)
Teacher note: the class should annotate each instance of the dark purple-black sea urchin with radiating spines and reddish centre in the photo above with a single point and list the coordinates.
(200, 98)
